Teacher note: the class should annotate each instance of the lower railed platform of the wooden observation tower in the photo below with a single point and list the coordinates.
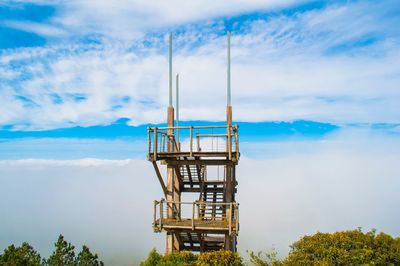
(195, 216)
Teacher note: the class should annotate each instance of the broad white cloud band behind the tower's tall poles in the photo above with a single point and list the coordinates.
(284, 68)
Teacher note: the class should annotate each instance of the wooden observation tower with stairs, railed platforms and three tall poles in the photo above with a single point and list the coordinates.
(200, 165)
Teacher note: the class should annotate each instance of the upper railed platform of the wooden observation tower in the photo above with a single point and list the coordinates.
(213, 143)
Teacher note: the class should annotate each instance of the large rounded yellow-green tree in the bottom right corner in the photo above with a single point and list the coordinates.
(345, 248)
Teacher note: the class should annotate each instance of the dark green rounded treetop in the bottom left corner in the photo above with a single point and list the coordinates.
(24, 255)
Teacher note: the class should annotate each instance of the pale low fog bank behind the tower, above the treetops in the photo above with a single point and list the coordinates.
(339, 183)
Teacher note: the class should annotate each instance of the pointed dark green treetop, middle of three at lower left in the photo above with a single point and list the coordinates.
(64, 255)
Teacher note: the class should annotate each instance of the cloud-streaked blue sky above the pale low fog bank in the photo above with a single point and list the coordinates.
(68, 65)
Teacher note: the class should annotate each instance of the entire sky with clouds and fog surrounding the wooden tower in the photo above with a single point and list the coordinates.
(315, 91)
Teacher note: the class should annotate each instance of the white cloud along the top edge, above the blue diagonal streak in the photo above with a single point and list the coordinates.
(132, 18)
